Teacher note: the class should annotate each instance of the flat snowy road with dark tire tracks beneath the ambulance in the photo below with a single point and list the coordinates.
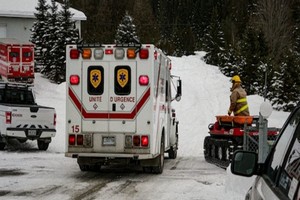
(31, 174)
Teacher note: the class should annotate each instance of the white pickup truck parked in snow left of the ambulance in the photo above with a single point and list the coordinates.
(22, 119)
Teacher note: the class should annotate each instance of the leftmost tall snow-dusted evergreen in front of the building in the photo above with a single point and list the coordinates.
(38, 31)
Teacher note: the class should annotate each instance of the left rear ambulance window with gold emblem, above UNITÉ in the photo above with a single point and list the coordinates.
(95, 80)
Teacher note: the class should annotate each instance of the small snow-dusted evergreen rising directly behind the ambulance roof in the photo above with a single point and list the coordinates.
(126, 32)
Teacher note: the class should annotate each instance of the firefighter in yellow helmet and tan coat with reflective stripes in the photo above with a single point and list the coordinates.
(238, 98)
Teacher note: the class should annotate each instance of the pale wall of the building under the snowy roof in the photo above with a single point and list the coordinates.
(19, 28)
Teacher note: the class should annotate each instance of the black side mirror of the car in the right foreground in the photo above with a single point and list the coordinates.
(244, 163)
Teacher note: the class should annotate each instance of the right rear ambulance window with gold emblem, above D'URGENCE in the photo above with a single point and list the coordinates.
(122, 80)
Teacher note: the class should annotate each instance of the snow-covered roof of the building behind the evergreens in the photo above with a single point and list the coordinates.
(26, 9)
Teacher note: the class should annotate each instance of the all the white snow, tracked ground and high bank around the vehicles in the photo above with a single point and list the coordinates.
(26, 173)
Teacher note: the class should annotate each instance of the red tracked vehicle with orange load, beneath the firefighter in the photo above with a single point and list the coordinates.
(230, 133)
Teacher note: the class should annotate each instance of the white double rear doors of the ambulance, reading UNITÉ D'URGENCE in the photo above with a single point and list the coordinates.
(109, 96)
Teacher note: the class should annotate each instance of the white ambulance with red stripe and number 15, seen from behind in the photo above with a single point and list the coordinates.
(118, 106)
